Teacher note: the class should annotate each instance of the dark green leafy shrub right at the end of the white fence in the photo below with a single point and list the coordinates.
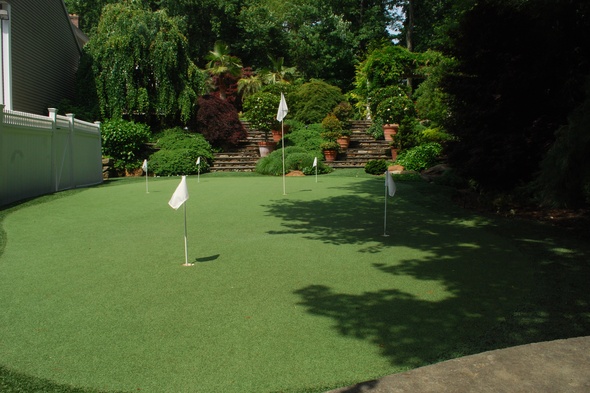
(124, 141)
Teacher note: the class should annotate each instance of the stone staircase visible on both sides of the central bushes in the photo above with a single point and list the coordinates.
(362, 149)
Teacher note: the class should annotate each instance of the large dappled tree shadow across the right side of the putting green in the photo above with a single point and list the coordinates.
(506, 282)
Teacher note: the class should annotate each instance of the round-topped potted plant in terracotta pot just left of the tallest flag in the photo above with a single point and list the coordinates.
(260, 109)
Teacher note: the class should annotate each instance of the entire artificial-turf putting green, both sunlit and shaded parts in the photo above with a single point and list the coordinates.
(291, 293)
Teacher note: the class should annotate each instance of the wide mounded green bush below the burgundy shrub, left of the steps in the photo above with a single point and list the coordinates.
(178, 153)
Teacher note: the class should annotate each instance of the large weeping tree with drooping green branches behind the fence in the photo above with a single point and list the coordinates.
(141, 65)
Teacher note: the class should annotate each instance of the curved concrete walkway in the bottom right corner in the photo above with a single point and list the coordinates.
(556, 366)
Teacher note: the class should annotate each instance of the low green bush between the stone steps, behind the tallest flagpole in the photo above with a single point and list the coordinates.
(296, 159)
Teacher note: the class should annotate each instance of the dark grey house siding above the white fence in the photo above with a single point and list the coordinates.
(45, 55)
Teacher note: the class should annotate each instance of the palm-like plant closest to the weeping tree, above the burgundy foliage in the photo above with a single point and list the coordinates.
(223, 67)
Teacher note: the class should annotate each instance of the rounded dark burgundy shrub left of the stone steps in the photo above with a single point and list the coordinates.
(219, 123)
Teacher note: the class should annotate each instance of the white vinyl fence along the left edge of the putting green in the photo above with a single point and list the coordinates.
(45, 154)
